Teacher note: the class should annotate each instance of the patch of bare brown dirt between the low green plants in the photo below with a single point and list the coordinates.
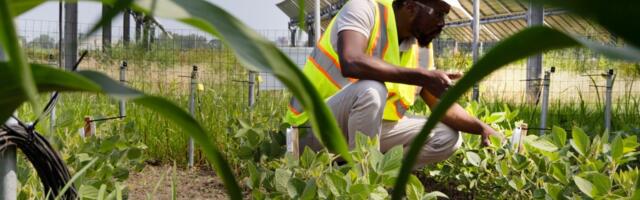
(194, 183)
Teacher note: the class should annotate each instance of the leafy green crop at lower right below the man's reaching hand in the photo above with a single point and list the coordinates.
(550, 168)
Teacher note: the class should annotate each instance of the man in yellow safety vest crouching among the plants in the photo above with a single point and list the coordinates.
(366, 66)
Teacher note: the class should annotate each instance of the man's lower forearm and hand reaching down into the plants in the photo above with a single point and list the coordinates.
(458, 119)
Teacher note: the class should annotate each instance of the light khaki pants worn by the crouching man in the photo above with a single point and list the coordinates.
(359, 107)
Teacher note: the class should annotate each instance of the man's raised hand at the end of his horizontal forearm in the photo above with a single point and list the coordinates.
(438, 81)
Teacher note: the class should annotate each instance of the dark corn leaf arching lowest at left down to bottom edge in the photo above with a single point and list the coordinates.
(48, 79)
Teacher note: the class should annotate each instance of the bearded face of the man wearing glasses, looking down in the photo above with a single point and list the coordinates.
(429, 20)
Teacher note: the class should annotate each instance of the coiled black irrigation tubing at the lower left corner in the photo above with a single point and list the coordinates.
(50, 167)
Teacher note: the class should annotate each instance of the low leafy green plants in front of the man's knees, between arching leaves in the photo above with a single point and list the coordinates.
(319, 176)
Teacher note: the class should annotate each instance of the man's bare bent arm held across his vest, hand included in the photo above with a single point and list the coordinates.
(355, 63)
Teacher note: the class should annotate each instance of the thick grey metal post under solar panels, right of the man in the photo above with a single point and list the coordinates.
(535, 17)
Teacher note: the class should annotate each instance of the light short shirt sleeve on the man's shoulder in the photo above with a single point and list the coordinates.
(357, 15)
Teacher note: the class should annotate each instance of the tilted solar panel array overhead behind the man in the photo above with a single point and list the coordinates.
(499, 19)
